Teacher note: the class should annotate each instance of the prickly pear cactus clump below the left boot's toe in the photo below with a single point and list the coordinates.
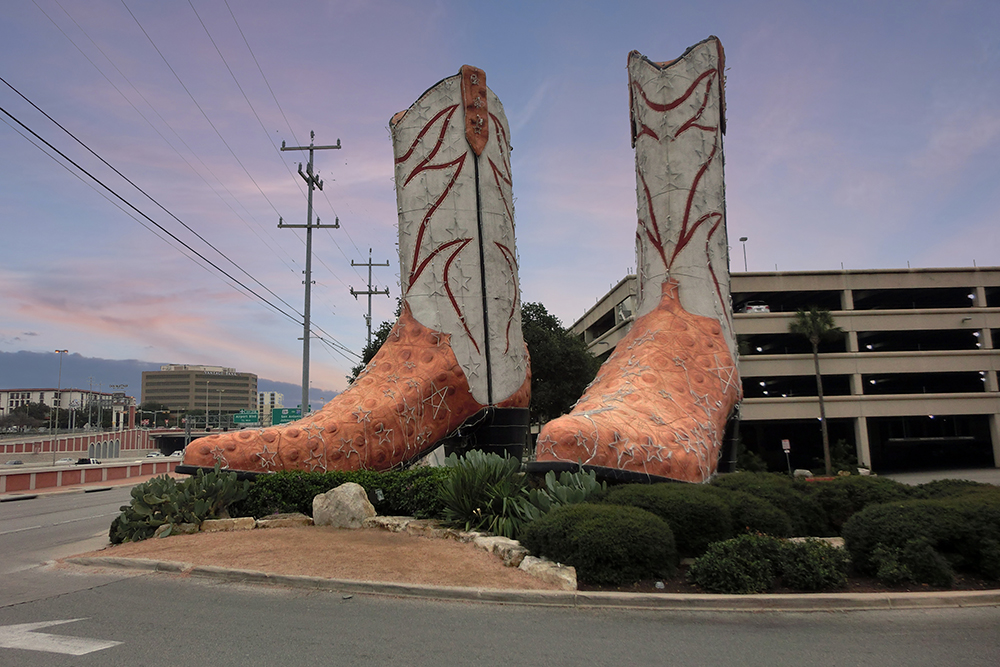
(164, 501)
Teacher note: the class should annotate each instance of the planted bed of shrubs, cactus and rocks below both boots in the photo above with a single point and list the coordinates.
(728, 537)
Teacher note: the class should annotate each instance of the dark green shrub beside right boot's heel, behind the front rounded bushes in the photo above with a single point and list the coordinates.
(794, 497)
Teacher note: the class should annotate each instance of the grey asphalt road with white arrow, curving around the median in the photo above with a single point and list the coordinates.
(157, 619)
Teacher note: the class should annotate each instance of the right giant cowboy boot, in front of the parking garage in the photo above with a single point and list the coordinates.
(659, 405)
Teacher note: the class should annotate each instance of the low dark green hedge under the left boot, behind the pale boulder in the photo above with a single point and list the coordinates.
(414, 492)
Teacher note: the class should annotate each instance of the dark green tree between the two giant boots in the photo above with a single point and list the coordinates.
(561, 365)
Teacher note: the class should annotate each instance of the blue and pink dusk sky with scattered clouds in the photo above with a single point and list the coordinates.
(859, 135)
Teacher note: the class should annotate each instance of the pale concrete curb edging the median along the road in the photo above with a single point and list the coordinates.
(804, 602)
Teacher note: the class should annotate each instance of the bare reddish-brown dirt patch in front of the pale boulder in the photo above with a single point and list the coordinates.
(321, 551)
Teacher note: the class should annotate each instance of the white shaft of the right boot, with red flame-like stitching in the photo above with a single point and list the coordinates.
(678, 119)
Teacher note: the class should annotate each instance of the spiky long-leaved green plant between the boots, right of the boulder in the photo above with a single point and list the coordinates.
(483, 492)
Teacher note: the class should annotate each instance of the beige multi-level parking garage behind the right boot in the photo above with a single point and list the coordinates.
(912, 382)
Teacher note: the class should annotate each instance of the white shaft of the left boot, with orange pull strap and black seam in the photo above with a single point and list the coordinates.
(458, 263)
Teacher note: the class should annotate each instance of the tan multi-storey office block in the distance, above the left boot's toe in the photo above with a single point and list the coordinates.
(184, 387)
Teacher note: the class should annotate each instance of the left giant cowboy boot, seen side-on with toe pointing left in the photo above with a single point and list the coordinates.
(456, 356)
